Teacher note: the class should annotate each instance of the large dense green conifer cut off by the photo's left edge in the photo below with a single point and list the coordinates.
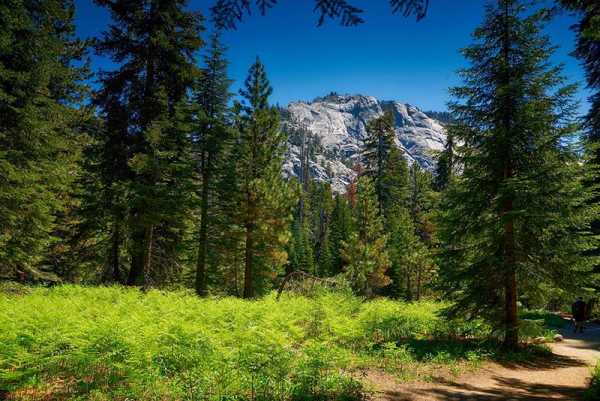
(41, 110)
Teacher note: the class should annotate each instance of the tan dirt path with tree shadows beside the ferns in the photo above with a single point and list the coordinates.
(562, 377)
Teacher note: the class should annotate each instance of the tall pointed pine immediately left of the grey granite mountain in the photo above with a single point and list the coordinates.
(265, 199)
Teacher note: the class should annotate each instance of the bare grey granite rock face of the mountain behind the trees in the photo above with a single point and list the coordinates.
(337, 125)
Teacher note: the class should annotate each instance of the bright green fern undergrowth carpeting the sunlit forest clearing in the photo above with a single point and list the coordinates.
(110, 343)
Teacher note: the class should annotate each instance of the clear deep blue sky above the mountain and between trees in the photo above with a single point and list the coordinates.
(389, 56)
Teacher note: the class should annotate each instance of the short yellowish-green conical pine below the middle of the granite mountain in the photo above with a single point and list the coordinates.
(365, 253)
